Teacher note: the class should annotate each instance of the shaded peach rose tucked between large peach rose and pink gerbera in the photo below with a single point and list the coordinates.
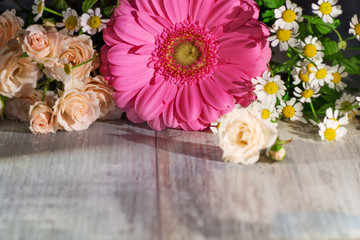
(103, 91)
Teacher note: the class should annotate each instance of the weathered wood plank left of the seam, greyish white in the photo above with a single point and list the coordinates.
(97, 184)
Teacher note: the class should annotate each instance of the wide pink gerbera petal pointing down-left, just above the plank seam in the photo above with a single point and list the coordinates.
(149, 103)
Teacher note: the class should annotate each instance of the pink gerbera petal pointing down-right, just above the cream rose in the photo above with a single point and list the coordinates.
(215, 95)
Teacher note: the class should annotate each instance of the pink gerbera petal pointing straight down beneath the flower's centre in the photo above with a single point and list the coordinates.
(188, 102)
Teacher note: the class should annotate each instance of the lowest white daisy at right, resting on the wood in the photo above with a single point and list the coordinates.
(330, 131)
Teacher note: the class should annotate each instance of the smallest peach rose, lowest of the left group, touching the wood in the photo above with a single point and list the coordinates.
(41, 119)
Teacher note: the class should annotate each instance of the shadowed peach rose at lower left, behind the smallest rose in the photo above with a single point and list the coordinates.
(18, 108)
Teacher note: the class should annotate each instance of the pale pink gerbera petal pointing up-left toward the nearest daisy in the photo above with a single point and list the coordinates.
(130, 31)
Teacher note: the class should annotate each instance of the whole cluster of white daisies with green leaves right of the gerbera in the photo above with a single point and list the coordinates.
(310, 85)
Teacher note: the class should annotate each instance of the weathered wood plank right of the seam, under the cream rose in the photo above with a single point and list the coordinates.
(314, 194)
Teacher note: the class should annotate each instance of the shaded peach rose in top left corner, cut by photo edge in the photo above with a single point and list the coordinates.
(10, 26)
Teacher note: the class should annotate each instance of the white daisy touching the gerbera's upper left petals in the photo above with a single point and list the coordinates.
(91, 21)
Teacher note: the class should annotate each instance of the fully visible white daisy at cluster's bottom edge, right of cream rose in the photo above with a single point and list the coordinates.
(291, 110)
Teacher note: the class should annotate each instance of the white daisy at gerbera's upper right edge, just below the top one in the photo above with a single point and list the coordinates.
(283, 37)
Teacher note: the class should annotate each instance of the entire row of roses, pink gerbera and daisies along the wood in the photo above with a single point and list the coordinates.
(183, 64)
